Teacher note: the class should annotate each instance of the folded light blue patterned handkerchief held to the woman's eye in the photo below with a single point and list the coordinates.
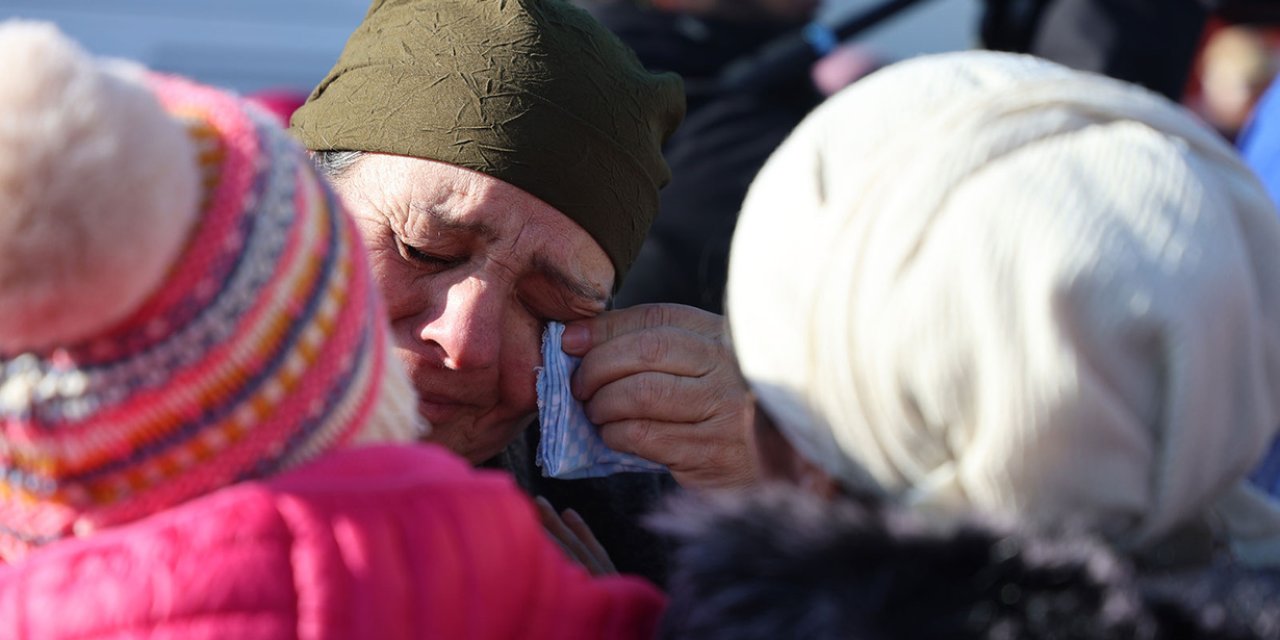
(570, 446)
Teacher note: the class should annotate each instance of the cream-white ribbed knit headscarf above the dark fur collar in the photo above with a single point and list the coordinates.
(985, 281)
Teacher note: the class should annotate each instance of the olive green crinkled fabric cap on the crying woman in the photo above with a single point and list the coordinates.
(533, 93)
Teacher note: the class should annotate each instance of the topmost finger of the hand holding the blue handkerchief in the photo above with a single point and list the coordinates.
(583, 336)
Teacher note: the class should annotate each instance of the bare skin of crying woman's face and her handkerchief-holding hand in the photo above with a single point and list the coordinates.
(473, 268)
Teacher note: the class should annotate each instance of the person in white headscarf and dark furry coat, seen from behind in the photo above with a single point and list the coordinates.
(1016, 299)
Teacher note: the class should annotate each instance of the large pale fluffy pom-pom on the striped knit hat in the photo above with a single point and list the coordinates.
(99, 191)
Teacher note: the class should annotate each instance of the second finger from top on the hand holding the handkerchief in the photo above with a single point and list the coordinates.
(662, 350)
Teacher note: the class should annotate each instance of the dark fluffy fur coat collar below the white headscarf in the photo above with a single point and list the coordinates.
(781, 564)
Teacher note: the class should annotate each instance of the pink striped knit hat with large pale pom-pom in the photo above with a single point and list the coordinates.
(184, 304)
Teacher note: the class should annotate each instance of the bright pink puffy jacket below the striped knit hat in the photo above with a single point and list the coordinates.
(380, 543)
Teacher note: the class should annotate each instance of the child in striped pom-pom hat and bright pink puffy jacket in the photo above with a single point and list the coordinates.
(204, 432)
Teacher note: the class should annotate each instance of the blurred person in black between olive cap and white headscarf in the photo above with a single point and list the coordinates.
(728, 132)
